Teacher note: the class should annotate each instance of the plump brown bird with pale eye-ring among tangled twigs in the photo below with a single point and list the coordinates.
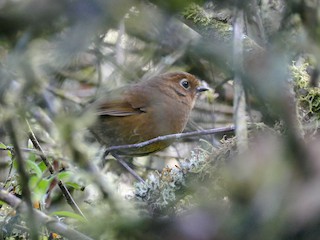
(142, 111)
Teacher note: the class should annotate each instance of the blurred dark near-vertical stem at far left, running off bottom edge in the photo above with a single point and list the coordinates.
(24, 180)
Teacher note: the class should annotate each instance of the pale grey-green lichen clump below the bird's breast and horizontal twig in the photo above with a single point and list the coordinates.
(175, 189)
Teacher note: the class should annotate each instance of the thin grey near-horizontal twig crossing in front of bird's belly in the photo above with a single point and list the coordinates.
(171, 137)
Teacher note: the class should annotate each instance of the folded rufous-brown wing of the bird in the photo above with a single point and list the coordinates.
(124, 102)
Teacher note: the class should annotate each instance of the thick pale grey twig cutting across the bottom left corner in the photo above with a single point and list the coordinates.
(51, 223)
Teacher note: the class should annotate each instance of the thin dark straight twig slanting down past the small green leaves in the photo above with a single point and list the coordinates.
(63, 188)
